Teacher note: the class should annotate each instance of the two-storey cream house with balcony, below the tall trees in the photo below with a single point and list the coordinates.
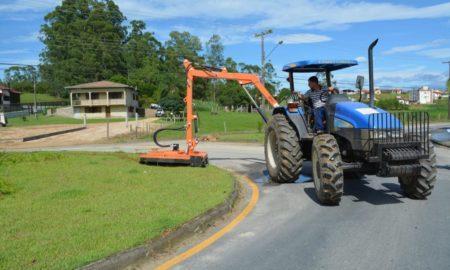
(103, 99)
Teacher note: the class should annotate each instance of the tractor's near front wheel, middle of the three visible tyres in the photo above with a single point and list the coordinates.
(327, 171)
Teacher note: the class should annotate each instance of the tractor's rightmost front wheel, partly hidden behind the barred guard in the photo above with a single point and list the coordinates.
(420, 186)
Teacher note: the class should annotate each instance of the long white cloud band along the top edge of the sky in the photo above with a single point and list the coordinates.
(319, 14)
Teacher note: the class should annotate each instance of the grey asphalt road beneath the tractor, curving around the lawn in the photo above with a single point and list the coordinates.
(375, 226)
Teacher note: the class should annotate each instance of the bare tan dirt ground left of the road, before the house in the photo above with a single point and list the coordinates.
(11, 138)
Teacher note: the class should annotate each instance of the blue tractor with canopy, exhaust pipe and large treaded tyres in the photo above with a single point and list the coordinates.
(359, 139)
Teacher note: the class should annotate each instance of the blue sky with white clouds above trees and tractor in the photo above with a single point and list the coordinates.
(414, 35)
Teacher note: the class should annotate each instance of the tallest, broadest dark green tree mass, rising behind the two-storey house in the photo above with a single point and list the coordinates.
(83, 42)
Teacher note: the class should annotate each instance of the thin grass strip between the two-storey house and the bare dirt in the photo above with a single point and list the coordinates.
(54, 120)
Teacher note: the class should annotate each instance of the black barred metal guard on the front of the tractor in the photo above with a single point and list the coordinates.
(399, 133)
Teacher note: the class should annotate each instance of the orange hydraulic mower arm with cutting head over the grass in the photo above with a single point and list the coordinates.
(192, 157)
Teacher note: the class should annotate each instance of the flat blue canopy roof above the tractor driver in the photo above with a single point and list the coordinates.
(319, 65)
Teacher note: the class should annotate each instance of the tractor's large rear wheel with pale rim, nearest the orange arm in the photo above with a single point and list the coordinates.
(282, 150)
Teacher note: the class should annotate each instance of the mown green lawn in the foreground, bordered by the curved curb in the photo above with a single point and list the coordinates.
(68, 209)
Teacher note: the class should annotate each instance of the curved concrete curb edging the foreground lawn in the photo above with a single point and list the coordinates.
(128, 257)
